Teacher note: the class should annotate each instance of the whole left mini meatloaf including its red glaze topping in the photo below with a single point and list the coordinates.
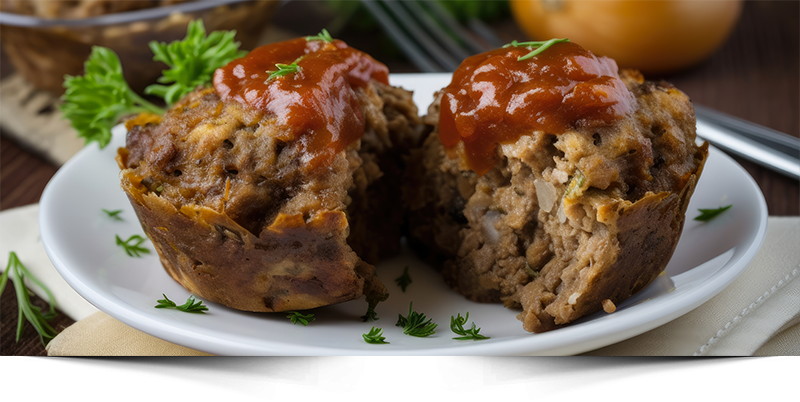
(274, 192)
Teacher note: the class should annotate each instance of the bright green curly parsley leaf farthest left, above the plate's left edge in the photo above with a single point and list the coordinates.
(96, 101)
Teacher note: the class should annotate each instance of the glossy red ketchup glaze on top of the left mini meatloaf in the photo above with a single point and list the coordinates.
(316, 105)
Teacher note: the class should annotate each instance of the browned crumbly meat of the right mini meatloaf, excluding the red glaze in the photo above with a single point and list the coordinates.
(564, 225)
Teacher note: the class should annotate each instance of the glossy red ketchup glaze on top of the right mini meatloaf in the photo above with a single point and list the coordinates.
(494, 99)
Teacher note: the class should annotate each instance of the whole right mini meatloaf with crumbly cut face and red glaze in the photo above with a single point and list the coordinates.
(554, 183)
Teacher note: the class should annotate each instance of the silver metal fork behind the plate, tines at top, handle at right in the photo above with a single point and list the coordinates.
(436, 42)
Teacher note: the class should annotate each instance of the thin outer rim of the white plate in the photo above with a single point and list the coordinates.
(599, 337)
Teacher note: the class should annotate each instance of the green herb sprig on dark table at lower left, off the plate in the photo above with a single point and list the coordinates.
(26, 309)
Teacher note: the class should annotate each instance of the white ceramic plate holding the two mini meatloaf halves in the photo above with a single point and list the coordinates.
(79, 239)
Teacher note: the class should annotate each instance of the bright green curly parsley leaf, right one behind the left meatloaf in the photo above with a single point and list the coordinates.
(192, 61)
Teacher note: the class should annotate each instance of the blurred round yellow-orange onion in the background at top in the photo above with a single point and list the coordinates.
(654, 36)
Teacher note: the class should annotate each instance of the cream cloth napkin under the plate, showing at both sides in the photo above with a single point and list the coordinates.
(758, 314)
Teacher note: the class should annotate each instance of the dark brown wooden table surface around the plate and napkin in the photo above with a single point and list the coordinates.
(754, 76)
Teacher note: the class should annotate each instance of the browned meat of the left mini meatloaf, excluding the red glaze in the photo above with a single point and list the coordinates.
(236, 219)
